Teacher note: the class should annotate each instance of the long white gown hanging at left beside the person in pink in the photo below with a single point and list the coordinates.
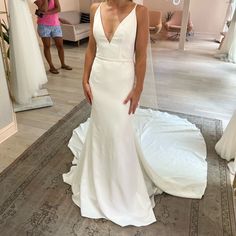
(27, 68)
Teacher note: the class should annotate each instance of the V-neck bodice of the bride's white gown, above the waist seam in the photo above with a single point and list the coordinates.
(121, 46)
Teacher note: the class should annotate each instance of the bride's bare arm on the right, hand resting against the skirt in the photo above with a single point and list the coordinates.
(140, 57)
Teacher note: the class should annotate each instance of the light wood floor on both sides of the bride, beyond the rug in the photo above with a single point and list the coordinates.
(192, 82)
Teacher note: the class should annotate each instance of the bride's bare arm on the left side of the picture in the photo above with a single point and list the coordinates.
(90, 55)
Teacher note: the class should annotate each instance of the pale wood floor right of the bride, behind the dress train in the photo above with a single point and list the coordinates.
(194, 81)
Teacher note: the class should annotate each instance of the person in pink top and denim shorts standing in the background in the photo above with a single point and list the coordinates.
(49, 27)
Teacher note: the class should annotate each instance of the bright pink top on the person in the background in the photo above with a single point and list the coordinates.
(52, 19)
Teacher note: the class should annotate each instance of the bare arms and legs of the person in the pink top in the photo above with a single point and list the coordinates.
(43, 7)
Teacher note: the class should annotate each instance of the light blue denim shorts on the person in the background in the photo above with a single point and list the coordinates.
(48, 31)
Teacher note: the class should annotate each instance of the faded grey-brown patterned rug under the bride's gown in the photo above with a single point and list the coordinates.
(35, 201)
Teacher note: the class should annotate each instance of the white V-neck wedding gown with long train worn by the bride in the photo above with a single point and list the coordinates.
(121, 161)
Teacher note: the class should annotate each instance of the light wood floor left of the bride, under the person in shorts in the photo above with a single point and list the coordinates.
(66, 92)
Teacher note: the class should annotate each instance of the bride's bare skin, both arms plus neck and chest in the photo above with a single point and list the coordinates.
(113, 12)
